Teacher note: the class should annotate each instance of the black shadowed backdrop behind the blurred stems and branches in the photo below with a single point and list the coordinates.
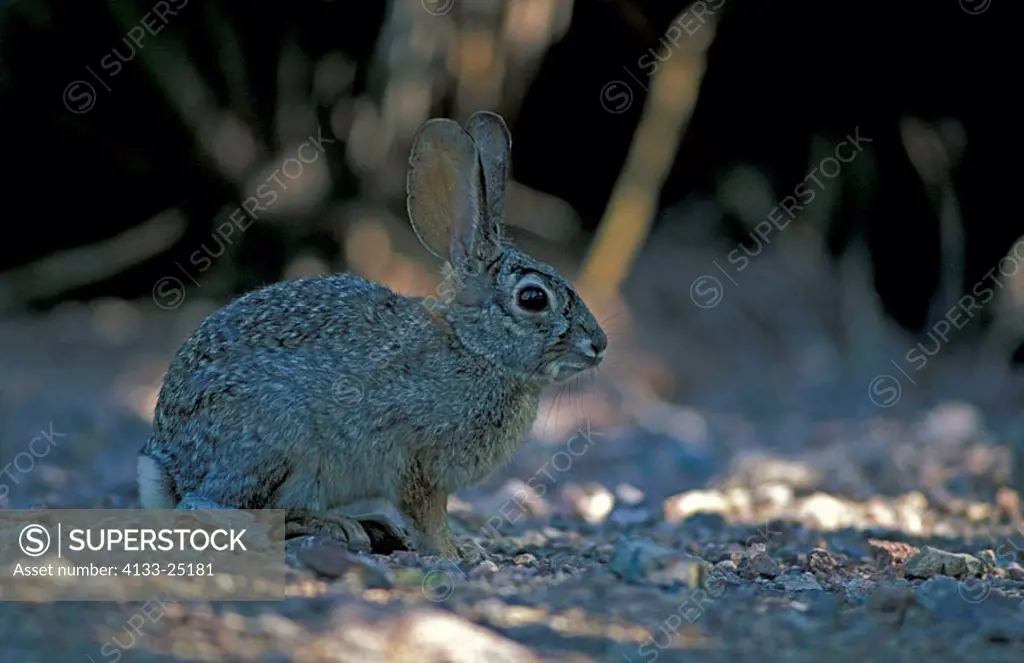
(778, 75)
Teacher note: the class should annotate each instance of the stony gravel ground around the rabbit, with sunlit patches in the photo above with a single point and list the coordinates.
(627, 530)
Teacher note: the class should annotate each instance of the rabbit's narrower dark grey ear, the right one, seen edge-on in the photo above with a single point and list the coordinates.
(495, 147)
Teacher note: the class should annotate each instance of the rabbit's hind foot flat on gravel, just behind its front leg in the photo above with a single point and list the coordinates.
(363, 534)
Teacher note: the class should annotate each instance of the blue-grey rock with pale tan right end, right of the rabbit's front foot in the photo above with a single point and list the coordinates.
(646, 561)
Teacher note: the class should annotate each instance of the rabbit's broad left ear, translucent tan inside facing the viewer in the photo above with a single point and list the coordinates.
(444, 191)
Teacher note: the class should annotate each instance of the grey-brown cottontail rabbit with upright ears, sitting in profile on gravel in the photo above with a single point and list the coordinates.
(313, 394)
